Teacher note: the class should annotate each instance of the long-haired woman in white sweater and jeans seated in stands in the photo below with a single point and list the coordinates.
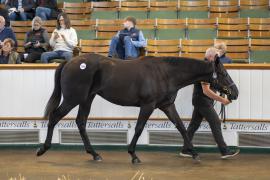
(63, 40)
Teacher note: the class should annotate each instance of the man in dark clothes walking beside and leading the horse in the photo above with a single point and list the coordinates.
(203, 102)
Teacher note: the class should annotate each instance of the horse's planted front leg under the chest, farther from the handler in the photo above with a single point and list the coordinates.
(145, 113)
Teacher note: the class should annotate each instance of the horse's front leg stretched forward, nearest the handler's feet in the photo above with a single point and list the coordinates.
(173, 116)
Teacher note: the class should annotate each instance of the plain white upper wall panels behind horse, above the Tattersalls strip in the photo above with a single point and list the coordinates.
(24, 93)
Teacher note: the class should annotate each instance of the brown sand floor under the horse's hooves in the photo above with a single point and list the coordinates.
(116, 165)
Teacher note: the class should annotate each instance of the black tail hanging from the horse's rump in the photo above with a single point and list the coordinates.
(55, 98)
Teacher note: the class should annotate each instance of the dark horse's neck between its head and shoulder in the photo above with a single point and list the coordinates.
(192, 72)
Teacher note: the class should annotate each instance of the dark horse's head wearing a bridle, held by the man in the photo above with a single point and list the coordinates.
(222, 81)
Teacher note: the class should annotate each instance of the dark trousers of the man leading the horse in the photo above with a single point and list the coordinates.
(212, 118)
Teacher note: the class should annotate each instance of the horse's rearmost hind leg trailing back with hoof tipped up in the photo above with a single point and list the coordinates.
(54, 118)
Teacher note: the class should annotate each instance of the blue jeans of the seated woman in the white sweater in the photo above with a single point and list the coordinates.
(47, 56)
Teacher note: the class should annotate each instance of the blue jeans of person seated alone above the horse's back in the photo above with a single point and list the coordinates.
(123, 51)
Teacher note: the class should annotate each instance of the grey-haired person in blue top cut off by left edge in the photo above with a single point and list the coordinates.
(6, 32)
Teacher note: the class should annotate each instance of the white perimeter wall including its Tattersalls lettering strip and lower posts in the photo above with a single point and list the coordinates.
(24, 93)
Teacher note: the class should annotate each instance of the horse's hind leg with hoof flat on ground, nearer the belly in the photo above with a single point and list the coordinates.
(84, 110)
